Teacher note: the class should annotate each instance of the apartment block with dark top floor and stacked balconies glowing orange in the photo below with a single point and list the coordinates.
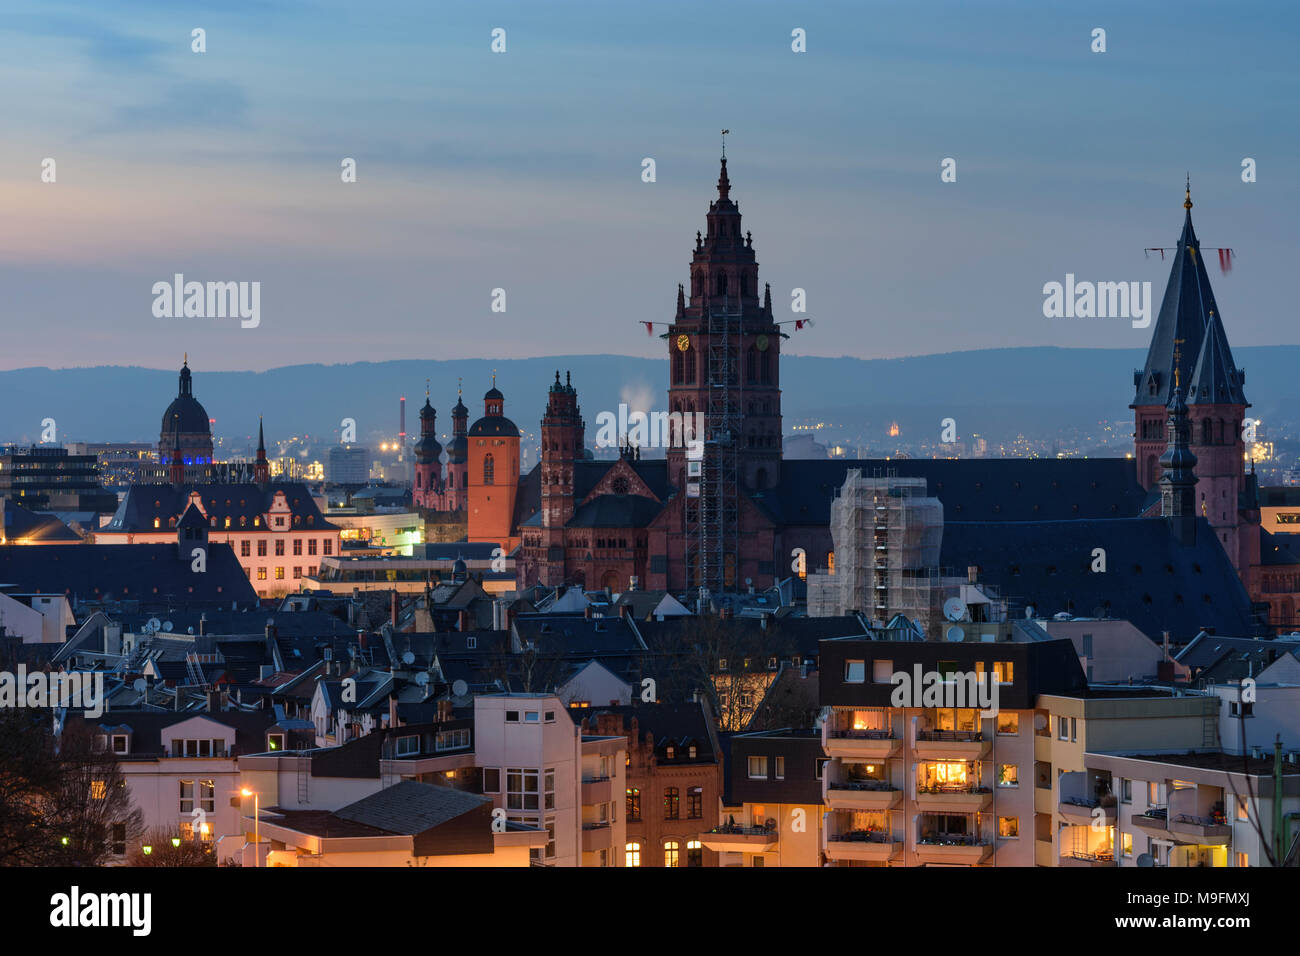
(943, 781)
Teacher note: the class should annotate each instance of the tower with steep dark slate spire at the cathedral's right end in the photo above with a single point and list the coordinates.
(1190, 335)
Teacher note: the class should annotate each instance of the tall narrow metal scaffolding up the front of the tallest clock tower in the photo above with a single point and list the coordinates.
(713, 518)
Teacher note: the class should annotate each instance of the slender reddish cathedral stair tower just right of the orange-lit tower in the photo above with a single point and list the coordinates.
(562, 447)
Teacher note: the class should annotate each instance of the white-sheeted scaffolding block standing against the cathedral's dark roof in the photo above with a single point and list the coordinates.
(887, 534)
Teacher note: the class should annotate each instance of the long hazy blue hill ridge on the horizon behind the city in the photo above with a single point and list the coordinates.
(995, 392)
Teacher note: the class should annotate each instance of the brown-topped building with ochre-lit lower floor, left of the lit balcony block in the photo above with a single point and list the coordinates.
(772, 811)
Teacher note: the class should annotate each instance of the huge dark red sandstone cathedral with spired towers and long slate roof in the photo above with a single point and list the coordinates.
(739, 516)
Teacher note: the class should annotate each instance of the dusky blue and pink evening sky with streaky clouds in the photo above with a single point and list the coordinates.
(523, 171)
